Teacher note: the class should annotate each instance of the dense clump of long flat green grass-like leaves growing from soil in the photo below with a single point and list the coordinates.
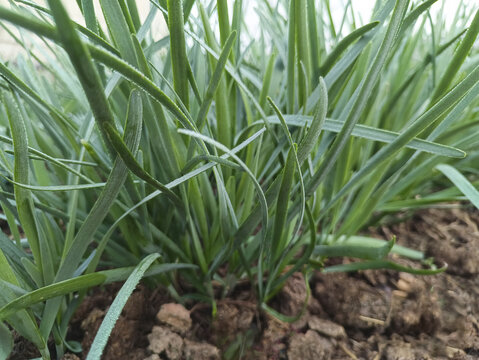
(215, 154)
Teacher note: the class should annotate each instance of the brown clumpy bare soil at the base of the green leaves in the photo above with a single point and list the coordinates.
(373, 314)
